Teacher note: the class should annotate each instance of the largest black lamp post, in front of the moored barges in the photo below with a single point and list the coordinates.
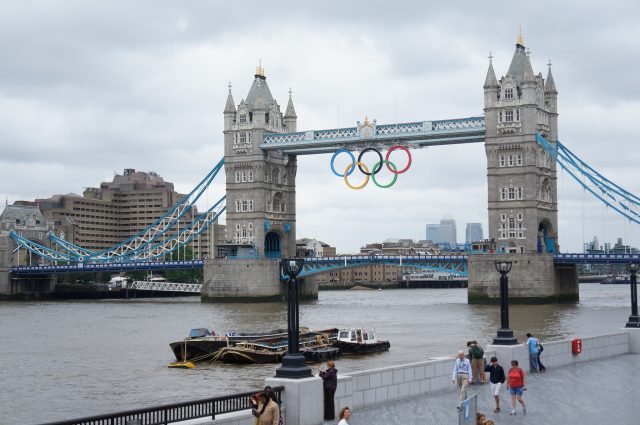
(293, 365)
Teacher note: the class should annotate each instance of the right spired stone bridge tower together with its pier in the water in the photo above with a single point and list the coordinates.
(522, 188)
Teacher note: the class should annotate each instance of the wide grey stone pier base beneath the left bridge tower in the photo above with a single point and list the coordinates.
(248, 280)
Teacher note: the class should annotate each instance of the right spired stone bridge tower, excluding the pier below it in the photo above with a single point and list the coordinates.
(523, 208)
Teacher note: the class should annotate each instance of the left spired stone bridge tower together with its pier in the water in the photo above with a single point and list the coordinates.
(261, 207)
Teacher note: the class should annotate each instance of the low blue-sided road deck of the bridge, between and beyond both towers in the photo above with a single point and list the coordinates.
(456, 264)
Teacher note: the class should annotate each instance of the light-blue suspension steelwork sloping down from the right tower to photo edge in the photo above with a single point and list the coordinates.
(612, 195)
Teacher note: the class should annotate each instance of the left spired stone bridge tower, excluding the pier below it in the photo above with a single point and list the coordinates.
(260, 185)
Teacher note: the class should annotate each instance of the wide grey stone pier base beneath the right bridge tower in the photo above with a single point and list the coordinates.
(534, 279)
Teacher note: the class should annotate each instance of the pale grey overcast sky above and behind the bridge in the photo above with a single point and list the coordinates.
(89, 88)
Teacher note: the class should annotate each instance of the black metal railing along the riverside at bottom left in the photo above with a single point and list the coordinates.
(170, 413)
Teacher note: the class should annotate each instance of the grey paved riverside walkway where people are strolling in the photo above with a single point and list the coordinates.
(590, 393)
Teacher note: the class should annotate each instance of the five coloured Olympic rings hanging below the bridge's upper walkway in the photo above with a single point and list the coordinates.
(376, 168)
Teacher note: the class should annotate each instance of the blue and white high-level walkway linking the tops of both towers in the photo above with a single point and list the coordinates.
(414, 134)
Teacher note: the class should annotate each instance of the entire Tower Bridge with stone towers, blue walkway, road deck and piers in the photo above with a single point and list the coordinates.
(519, 130)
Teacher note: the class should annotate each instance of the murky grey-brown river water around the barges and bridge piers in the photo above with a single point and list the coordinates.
(69, 359)
